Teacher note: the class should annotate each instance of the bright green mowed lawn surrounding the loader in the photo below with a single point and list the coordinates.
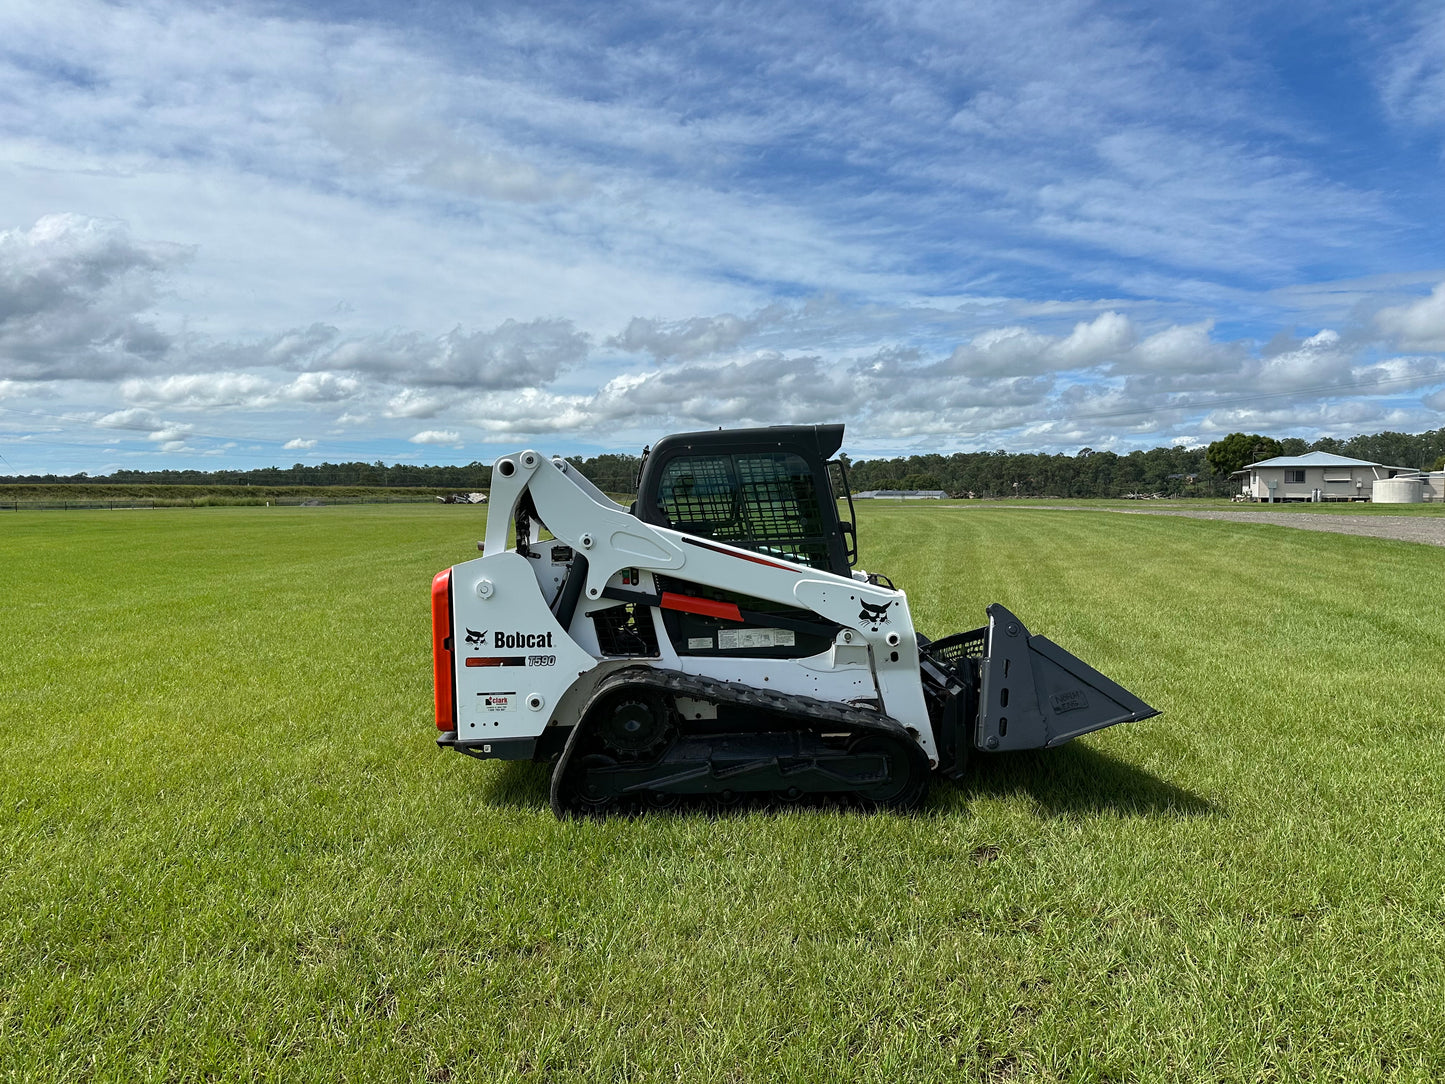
(230, 851)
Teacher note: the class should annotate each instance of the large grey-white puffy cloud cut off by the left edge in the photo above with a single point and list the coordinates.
(73, 296)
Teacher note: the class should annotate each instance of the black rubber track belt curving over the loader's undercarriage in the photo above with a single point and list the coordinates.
(806, 710)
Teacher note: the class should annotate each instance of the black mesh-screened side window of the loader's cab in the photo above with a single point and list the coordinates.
(762, 501)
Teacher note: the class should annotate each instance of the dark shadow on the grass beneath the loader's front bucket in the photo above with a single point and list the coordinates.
(1077, 781)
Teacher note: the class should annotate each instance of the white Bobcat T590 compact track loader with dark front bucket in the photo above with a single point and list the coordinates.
(715, 644)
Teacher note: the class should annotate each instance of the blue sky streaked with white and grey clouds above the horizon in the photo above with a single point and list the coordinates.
(236, 236)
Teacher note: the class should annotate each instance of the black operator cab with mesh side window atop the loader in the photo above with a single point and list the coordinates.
(768, 491)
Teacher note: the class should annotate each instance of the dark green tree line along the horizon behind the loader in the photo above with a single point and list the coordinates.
(1202, 472)
